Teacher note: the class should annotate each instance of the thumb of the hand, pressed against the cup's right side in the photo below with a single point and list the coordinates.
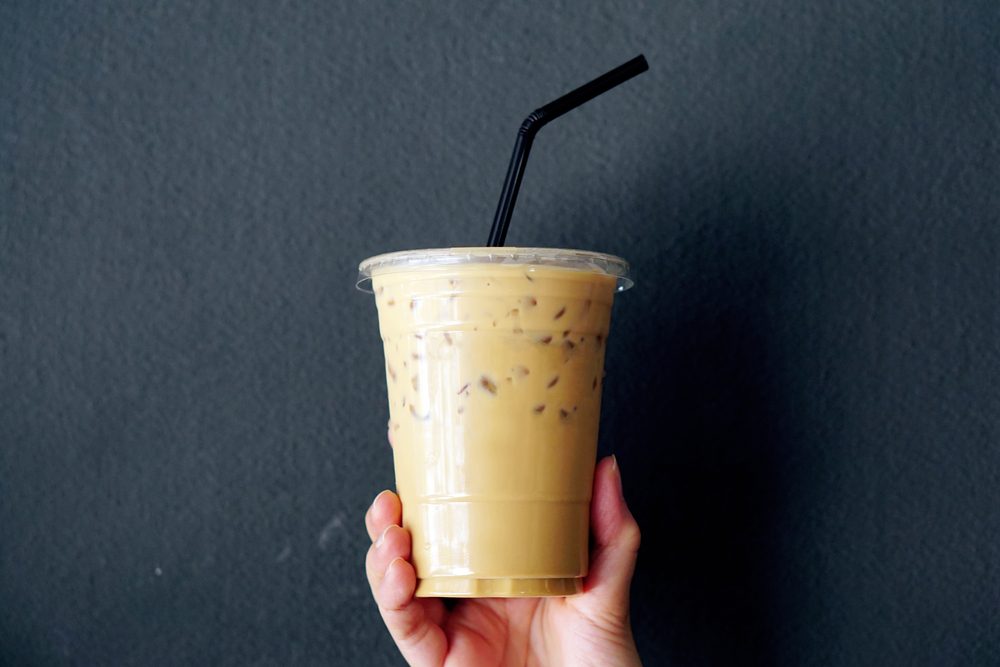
(616, 542)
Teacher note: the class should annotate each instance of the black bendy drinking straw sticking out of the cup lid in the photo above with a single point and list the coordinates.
(535, 121)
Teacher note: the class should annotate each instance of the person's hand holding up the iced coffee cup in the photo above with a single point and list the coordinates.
(592, 628)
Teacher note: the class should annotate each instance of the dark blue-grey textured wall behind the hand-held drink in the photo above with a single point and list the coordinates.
(803, 387)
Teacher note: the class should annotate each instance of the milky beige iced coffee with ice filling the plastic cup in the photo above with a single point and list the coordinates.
(494, 375)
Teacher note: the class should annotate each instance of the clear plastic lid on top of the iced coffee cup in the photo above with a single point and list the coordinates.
(578, 260)
